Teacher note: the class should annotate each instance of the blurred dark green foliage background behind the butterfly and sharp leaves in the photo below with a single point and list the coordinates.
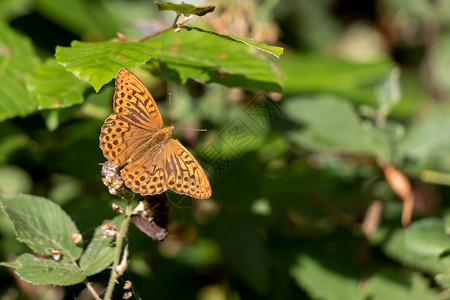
(293, 168)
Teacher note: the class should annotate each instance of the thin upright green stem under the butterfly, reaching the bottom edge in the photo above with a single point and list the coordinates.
(119, 241)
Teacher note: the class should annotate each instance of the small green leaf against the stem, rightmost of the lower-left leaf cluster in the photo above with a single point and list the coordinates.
(100, 252)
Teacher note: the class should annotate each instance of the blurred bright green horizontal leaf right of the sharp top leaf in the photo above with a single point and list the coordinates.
(317, 73)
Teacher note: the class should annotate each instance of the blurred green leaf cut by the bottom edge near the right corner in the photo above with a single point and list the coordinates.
(398, 284)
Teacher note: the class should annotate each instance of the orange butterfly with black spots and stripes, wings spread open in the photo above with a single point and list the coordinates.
(134, 139)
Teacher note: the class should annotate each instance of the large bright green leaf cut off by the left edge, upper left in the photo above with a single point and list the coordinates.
(18, 59)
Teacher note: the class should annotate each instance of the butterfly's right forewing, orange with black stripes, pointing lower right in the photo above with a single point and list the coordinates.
(183, 173)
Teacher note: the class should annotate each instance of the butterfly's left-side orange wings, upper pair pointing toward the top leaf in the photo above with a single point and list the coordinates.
(135, 119)
